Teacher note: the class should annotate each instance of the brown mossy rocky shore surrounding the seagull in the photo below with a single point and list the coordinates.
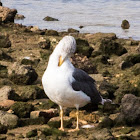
(25, 110)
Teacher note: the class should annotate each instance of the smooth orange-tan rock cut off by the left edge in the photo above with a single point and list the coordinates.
(6, 104)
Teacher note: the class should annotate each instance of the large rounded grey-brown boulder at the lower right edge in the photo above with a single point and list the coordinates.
(130, 111)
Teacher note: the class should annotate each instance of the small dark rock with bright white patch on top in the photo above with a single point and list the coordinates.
(30, 61)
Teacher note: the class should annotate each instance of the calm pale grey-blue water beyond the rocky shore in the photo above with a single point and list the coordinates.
(95, 15)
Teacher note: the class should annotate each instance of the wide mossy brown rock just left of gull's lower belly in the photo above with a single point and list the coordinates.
(31, 93)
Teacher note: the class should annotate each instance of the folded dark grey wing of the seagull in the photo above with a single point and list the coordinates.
(83, 82)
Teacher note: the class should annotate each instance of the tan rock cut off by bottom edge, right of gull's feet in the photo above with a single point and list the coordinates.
(103, 134)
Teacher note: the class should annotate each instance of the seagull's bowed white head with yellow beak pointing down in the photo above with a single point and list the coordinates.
(66, 47)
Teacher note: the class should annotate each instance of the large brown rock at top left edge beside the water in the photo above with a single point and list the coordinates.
(7, 14)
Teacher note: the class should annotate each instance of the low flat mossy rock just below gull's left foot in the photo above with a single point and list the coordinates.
(53, 132)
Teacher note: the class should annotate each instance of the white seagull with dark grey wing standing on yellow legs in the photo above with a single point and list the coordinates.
(66, 85)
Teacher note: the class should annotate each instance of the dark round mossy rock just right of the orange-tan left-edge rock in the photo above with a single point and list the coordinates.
(22, 109)
